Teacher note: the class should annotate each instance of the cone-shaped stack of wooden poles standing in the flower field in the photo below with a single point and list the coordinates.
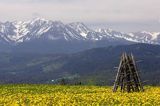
(127, 77)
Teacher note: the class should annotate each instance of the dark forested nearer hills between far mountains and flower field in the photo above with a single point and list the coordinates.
(94, 66)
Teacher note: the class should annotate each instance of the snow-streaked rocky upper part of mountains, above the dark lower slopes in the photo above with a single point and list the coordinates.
(24, 31)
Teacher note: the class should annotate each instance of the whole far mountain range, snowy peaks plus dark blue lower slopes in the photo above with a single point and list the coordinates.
(46, 36)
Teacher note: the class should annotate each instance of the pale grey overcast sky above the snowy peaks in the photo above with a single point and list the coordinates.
(122, 15)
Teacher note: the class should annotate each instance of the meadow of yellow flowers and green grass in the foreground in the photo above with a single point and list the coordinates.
(55, 95)
